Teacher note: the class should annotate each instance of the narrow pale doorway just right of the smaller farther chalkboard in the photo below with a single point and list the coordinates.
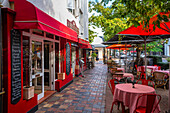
(73, 49)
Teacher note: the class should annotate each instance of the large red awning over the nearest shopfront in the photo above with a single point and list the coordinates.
(30, 17)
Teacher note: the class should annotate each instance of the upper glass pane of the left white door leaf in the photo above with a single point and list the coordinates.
(36, 57)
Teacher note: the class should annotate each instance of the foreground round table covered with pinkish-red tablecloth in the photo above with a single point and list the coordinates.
(128, 95)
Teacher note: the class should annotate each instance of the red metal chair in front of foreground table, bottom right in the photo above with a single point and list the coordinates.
(150, 104)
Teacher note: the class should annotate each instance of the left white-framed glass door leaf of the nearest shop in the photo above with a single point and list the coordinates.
(37, 66)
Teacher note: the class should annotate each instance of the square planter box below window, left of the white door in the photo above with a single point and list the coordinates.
(28, 92)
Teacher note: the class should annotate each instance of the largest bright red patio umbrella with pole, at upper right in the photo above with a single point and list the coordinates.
(145, 34)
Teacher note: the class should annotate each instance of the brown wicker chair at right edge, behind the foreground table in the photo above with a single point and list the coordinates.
(160, 79)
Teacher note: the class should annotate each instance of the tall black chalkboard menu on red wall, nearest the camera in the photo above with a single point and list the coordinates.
(15, 66)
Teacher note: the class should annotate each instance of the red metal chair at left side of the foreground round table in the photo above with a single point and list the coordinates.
(111, 85)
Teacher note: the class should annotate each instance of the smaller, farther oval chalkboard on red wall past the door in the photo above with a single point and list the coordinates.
(67, 59)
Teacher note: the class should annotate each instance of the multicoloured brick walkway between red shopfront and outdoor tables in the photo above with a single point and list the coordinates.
(84, 95)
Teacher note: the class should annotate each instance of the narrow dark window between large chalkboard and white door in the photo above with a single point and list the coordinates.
(26, 54)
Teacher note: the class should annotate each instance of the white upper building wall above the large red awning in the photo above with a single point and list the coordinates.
(58, 9)
